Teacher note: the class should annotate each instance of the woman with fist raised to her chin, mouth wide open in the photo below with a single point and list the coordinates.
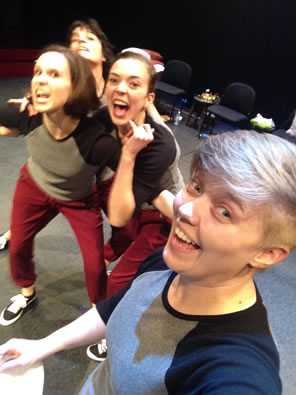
(137, 205)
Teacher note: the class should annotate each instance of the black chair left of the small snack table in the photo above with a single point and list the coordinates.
(174, 81)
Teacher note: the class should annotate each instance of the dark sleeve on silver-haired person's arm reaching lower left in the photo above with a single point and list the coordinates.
(154, 262)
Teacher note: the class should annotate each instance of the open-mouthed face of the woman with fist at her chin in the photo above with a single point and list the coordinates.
(127, 91)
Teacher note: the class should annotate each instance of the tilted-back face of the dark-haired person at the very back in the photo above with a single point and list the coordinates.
(87, 44)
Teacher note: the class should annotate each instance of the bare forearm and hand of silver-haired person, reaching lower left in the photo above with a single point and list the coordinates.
(22, 353)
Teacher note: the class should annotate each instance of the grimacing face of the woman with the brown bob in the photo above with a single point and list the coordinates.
(51, 84)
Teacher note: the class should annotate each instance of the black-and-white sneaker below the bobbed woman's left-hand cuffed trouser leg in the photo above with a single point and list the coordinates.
(15, 309)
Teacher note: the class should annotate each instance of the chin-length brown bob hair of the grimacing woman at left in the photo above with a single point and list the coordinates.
(84, 93)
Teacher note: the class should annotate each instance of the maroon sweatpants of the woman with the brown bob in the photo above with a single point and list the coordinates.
(33, 210)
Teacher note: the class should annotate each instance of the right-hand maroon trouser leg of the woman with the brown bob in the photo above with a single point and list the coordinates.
(87, 223)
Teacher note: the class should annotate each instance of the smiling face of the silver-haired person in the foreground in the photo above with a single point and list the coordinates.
(215, 235)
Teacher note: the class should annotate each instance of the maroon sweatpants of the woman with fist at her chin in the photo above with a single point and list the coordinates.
(141, 236)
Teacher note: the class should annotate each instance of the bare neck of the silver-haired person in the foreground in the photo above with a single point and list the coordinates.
(188, 297)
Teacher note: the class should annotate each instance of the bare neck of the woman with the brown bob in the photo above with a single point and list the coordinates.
(59, 125)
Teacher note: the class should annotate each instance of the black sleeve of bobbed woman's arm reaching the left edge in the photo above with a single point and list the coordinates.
(11, 117)
